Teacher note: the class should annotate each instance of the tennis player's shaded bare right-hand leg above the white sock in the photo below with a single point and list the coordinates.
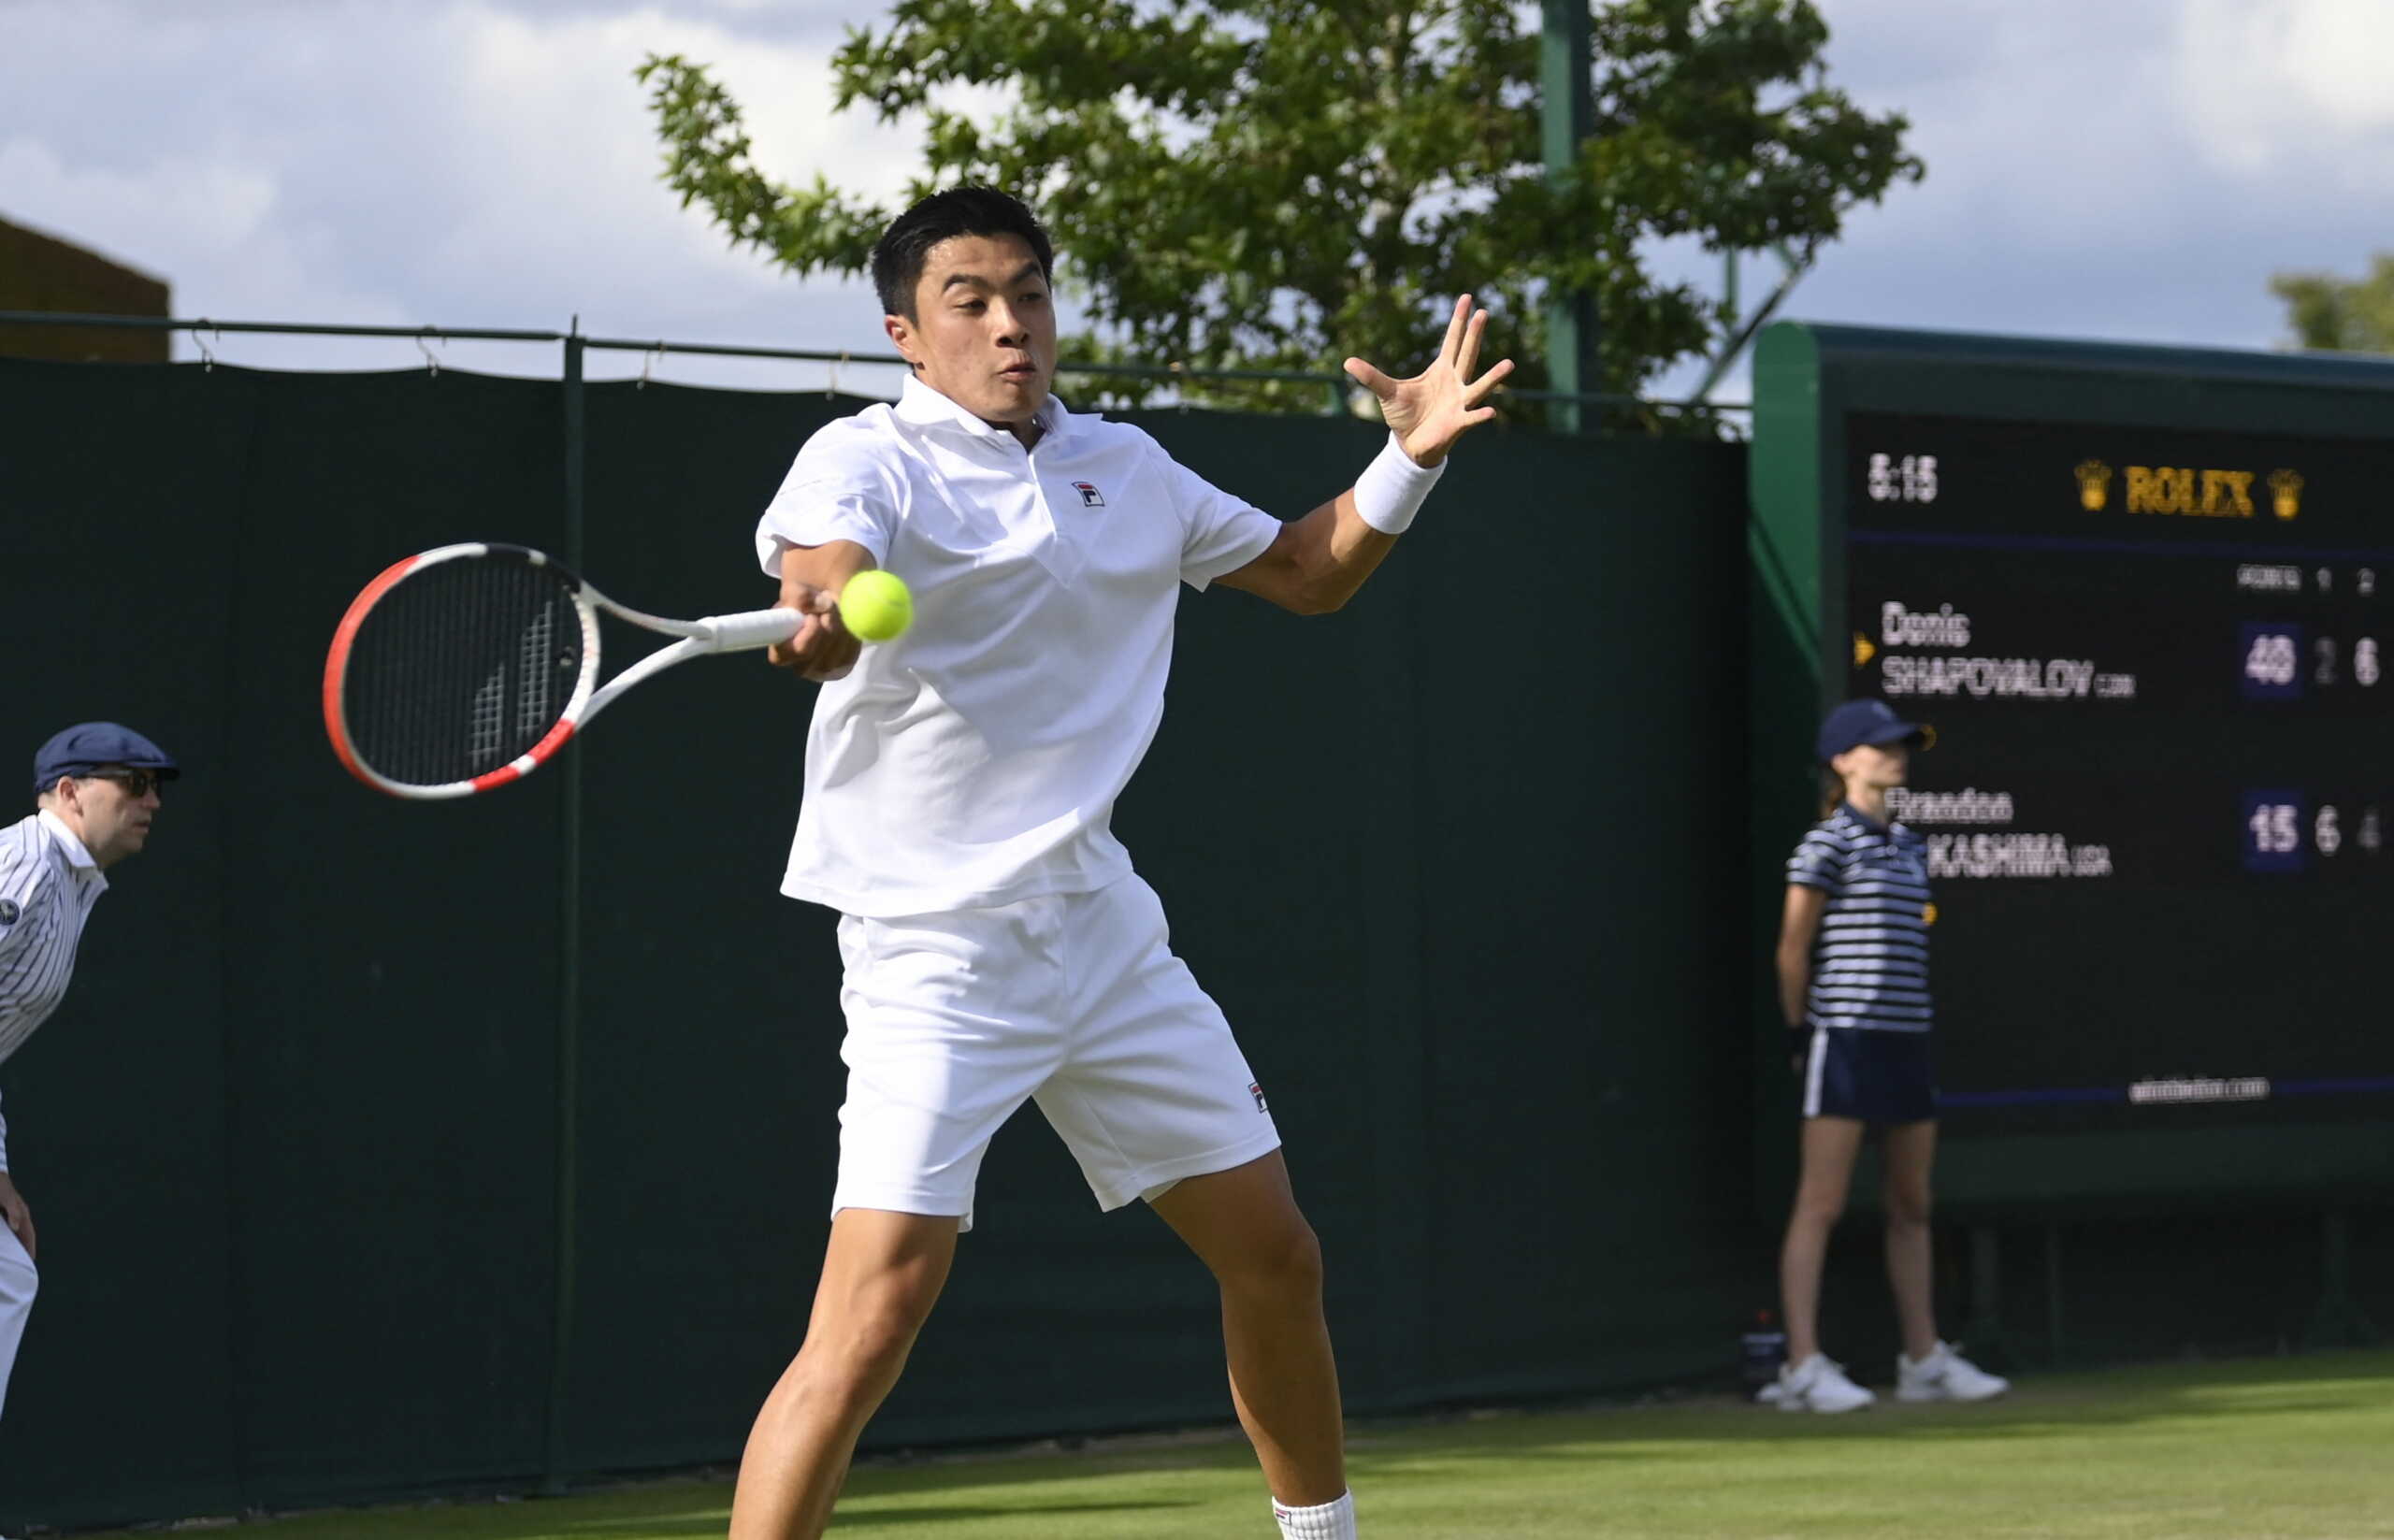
(1284, 1381)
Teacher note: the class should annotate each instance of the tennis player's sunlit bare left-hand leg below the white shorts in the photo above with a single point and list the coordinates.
(882, 1275)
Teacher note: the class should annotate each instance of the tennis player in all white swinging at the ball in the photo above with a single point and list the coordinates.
(956, 813)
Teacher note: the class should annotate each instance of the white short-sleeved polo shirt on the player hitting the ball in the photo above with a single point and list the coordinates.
(978, 758)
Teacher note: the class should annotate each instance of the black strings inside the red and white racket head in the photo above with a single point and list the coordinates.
(461, 667)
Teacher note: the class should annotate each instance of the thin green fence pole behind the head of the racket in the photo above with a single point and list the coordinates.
(569, 1050)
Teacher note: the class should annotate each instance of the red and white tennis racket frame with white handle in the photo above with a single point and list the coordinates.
(741, 631)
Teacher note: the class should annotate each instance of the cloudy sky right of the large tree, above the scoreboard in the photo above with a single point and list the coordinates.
(2113, 171)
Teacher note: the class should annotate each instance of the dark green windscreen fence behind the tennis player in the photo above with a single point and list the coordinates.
(1464, 863)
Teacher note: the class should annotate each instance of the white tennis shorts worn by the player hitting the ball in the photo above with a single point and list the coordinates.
(1074, 1000)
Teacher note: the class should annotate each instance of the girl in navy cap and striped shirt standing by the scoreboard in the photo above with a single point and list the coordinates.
(1854, 983)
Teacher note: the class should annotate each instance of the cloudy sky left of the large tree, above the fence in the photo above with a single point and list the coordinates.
(461, 166)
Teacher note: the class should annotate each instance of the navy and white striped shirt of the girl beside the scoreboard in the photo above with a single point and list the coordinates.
(1871, 966)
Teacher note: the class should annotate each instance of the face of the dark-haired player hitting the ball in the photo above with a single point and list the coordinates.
(985, 327)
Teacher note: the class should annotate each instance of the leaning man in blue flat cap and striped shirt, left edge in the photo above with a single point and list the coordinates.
(97, 792)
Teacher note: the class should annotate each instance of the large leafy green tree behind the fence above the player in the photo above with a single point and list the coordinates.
(1282, 183)
